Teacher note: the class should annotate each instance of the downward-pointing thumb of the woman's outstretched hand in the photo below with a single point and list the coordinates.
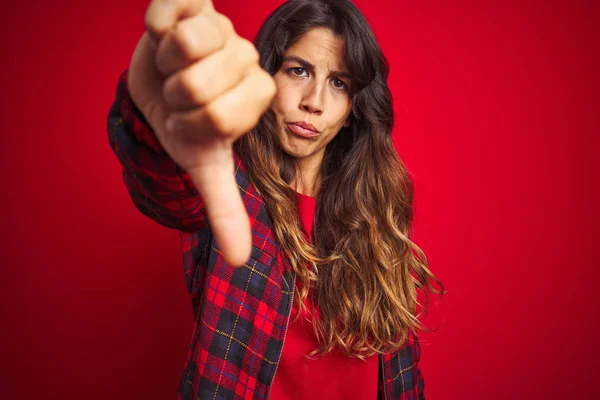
(225, 209)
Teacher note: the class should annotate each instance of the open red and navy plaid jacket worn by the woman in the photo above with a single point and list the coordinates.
(241, 315)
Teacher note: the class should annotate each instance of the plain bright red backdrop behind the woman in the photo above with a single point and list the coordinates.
(498, 121)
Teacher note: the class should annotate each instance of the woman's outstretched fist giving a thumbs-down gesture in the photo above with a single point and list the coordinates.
(200, 87)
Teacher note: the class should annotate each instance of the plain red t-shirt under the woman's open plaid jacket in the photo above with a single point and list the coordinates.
(334, 376)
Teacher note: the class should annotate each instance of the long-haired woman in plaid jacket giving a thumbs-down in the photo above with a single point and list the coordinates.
(331, 272)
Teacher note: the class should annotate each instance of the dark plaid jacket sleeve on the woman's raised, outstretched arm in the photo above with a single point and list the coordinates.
(158, 187)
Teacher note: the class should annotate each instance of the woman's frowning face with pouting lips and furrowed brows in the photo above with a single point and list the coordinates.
(313, 88)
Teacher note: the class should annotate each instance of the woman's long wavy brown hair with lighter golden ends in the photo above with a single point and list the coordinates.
(364, 269)
